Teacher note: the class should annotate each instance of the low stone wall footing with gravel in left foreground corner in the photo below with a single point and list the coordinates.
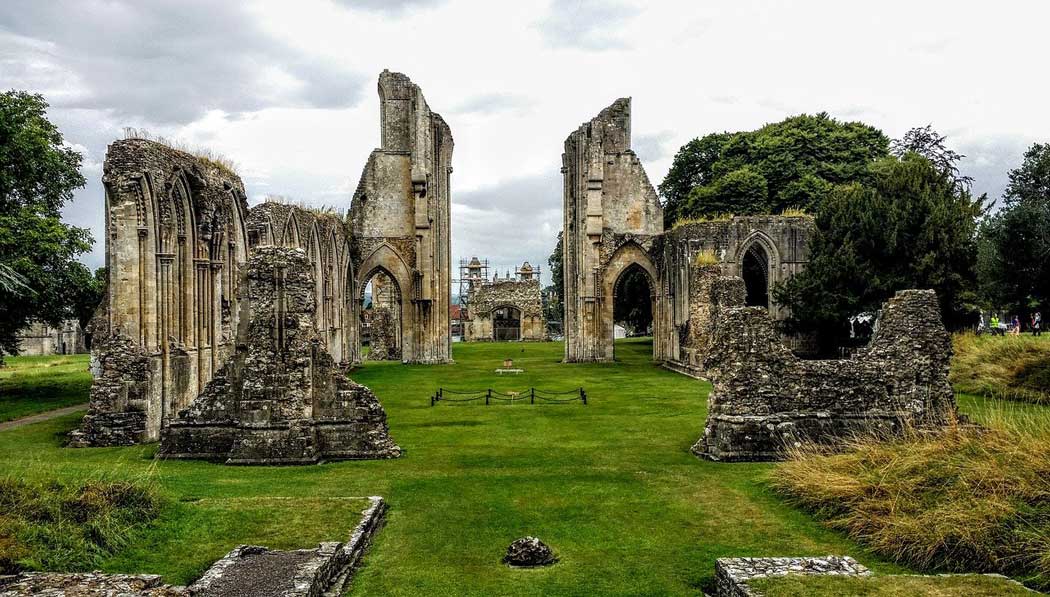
(247, 570)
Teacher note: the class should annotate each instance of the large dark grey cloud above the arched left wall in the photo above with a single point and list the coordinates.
(164, 62)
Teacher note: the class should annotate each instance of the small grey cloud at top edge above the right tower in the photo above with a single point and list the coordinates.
(586, 25)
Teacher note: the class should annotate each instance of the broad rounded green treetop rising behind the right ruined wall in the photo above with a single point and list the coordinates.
(791, 164)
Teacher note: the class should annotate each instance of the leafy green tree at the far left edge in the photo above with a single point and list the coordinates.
(38, 176)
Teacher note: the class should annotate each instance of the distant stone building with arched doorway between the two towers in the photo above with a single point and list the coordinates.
(506, 310)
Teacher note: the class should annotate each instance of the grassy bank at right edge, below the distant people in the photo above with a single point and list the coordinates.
(1015, 368)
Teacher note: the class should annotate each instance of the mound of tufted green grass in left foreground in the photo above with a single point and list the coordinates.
(69, 526)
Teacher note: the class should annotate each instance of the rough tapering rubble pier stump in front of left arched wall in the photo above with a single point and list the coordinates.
(281, 399)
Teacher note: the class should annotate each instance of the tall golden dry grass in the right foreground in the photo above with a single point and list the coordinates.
(961, 501)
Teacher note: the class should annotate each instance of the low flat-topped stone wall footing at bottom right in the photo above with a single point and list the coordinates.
(732, 574)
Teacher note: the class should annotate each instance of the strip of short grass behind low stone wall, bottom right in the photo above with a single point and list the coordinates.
(889, 586)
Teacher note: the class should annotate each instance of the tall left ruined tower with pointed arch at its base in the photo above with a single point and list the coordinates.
(401, 218)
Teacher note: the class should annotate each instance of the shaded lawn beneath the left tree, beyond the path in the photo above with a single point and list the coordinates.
(30, 386)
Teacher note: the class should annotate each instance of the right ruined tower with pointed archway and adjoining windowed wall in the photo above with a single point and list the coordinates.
(614, 224)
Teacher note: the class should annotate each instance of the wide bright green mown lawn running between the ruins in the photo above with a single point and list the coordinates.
(612, 486)
